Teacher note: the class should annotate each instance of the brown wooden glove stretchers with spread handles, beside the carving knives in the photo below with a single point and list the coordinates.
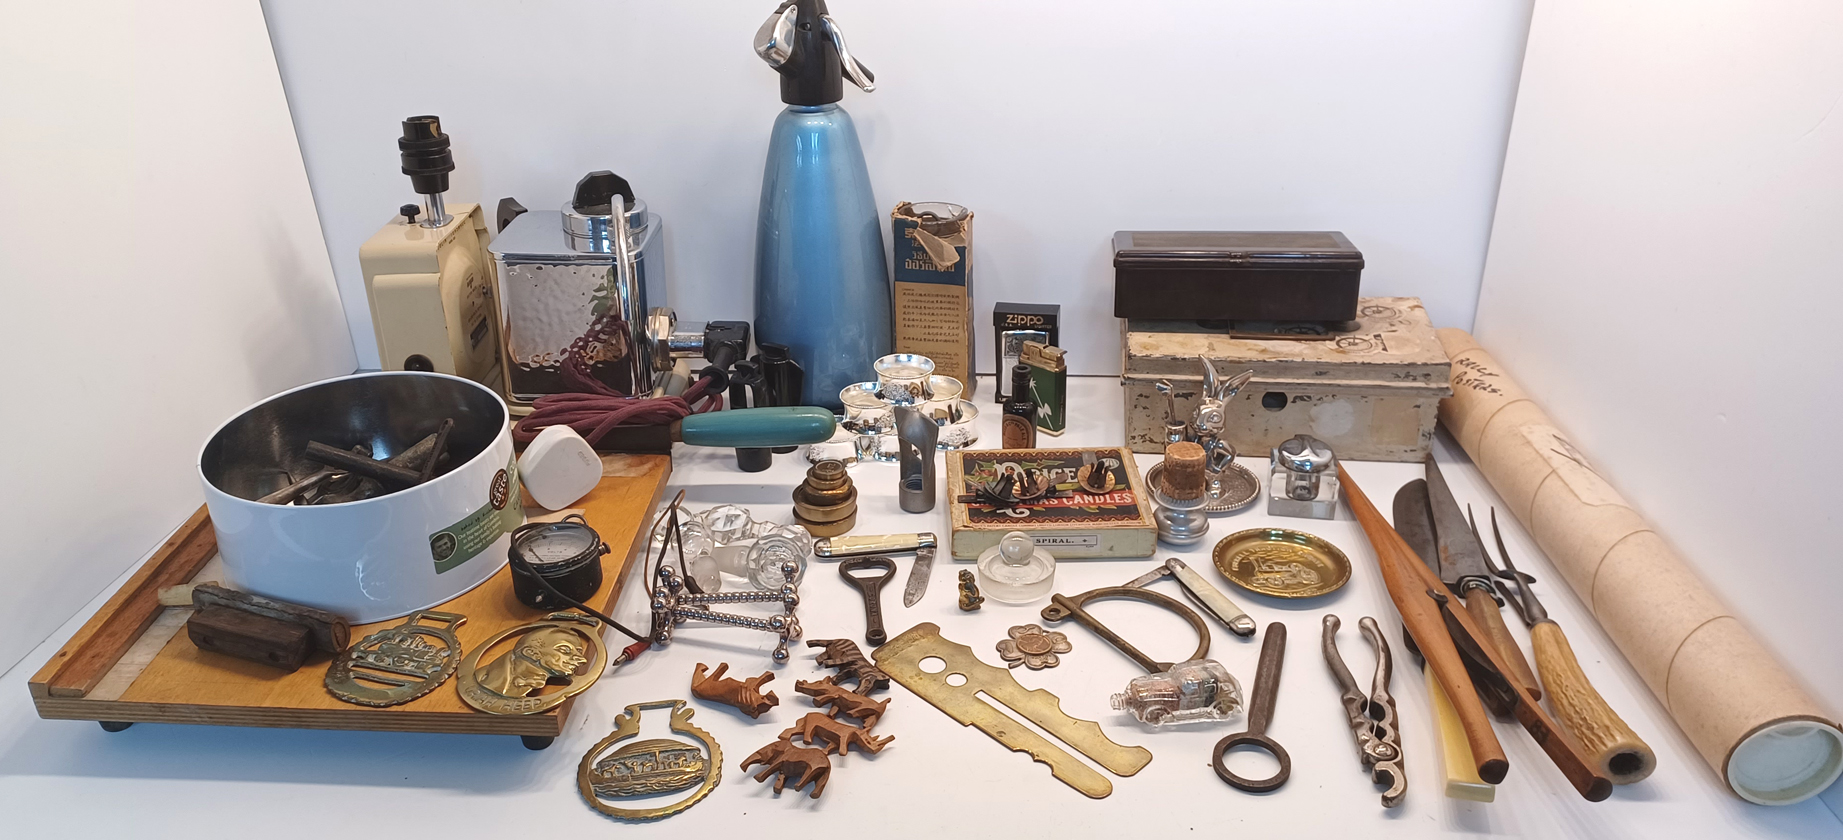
(1418, 596)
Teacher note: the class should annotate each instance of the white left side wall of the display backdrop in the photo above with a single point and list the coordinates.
(163, 268)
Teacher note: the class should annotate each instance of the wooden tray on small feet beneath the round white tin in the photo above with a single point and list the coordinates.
(132, 662)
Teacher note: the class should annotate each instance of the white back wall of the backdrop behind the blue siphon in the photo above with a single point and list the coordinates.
(1057, 122)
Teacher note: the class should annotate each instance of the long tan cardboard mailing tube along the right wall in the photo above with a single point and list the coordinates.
(1750, 717)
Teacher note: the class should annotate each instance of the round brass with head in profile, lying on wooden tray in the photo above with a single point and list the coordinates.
(546, 653)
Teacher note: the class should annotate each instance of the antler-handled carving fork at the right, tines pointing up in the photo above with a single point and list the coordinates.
(1614, 749)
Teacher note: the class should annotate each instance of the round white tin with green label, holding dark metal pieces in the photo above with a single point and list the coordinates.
(373, 559)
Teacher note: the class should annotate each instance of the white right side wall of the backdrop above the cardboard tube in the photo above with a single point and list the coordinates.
(1665, 281)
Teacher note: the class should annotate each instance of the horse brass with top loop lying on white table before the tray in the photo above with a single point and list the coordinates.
(650, 767)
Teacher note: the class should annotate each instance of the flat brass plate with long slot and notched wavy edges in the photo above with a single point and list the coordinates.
(956, 686)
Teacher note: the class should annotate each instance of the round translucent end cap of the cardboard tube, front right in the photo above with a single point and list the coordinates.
(1787, 762)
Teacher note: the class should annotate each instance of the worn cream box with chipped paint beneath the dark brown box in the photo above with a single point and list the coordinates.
(1372, 393)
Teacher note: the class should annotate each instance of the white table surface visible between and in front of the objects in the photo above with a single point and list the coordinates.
(64, 778)
